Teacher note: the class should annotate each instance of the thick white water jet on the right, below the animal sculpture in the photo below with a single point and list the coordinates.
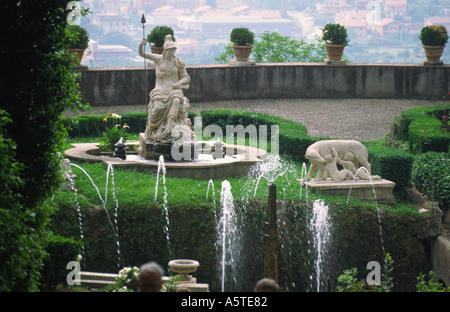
(320, 225)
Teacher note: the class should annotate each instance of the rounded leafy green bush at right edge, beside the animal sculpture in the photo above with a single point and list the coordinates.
(430, 174)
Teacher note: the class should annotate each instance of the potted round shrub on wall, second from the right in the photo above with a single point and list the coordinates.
(335, 38)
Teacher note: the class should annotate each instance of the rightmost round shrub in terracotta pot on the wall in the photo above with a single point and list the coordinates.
(433, 39)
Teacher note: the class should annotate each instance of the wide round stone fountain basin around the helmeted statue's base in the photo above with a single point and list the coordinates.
(237, 166)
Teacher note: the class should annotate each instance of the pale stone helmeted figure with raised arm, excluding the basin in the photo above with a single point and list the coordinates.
(168, 107)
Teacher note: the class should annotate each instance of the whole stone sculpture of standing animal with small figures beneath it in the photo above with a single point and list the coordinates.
(324, 155)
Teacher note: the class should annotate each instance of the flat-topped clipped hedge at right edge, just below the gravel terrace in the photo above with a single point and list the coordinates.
(422, 128)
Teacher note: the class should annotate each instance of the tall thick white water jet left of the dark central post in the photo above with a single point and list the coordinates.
(227, 228)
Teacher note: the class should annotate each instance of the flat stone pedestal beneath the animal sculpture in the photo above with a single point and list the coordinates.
(360, 189)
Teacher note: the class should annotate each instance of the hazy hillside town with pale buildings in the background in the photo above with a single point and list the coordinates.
(381, 31)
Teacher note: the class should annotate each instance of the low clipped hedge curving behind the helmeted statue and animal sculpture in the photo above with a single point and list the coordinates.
(293, 138)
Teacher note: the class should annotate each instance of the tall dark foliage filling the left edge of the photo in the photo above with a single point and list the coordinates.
(37, 85)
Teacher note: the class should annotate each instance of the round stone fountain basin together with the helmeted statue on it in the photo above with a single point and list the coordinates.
(169, 133)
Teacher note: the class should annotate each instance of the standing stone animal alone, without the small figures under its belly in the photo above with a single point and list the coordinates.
(316, 152)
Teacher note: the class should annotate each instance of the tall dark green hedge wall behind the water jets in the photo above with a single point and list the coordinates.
(355, 241)
